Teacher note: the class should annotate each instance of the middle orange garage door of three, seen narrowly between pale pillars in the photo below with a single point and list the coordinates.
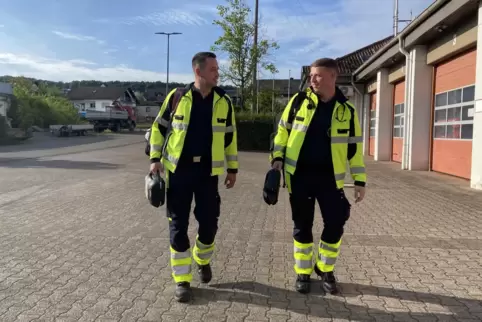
(398, 120)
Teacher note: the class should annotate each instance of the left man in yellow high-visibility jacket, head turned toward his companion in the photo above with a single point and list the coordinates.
(193, 138)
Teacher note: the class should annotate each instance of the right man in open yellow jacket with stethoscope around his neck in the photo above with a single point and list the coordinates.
(318, 134)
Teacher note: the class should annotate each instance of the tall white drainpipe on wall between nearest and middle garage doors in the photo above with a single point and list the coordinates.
(406, 113)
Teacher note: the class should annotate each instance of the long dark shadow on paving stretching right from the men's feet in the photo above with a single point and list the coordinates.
(456, 309)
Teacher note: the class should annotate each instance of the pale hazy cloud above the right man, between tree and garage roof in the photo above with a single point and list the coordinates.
(337, 30)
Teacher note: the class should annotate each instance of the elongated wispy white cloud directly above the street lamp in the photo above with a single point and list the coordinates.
(164, 18)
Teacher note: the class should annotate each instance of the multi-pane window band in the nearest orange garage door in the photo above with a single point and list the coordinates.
(454, 114)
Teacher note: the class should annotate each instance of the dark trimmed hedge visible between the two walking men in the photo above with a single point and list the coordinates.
(254, 131)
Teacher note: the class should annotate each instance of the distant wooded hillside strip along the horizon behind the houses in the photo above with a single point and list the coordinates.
(136, 86)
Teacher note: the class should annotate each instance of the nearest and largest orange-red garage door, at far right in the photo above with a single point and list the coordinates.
(453, 115)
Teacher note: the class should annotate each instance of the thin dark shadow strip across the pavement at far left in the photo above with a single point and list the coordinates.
(60, 164)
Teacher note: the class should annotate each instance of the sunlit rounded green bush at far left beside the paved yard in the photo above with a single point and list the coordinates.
(40, 105)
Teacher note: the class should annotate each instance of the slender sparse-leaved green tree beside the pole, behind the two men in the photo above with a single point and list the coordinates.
(237, 41)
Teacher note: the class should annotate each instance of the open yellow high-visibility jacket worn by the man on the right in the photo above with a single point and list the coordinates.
(345, 132)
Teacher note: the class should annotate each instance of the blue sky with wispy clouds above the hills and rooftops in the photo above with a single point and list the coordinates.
(114, 40)
